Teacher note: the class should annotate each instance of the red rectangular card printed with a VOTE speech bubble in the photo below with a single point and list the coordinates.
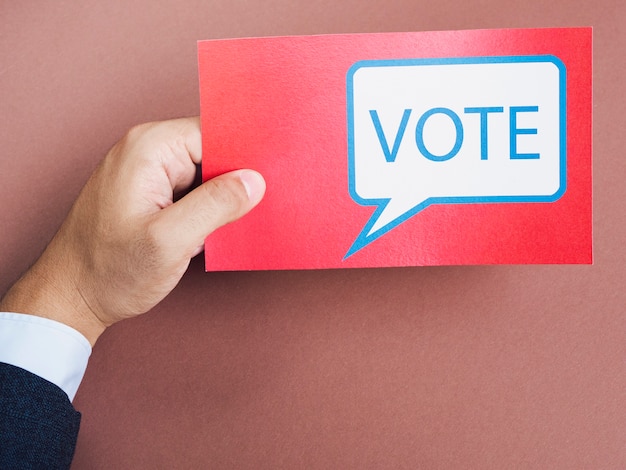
(403, 149)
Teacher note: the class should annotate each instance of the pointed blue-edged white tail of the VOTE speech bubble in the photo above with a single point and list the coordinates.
(389, 214)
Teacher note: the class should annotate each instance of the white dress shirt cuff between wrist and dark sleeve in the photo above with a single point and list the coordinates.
(49, 349)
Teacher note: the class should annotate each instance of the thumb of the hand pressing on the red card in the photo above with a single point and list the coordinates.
(215, 203)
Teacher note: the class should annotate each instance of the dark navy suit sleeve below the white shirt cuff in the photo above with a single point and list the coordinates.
(38, 424)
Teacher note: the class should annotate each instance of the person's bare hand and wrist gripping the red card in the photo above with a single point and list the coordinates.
(125, 243)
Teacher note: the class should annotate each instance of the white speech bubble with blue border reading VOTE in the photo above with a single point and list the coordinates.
(453, 131)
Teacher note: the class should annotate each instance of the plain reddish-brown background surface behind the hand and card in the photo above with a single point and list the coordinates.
(454, 367)
